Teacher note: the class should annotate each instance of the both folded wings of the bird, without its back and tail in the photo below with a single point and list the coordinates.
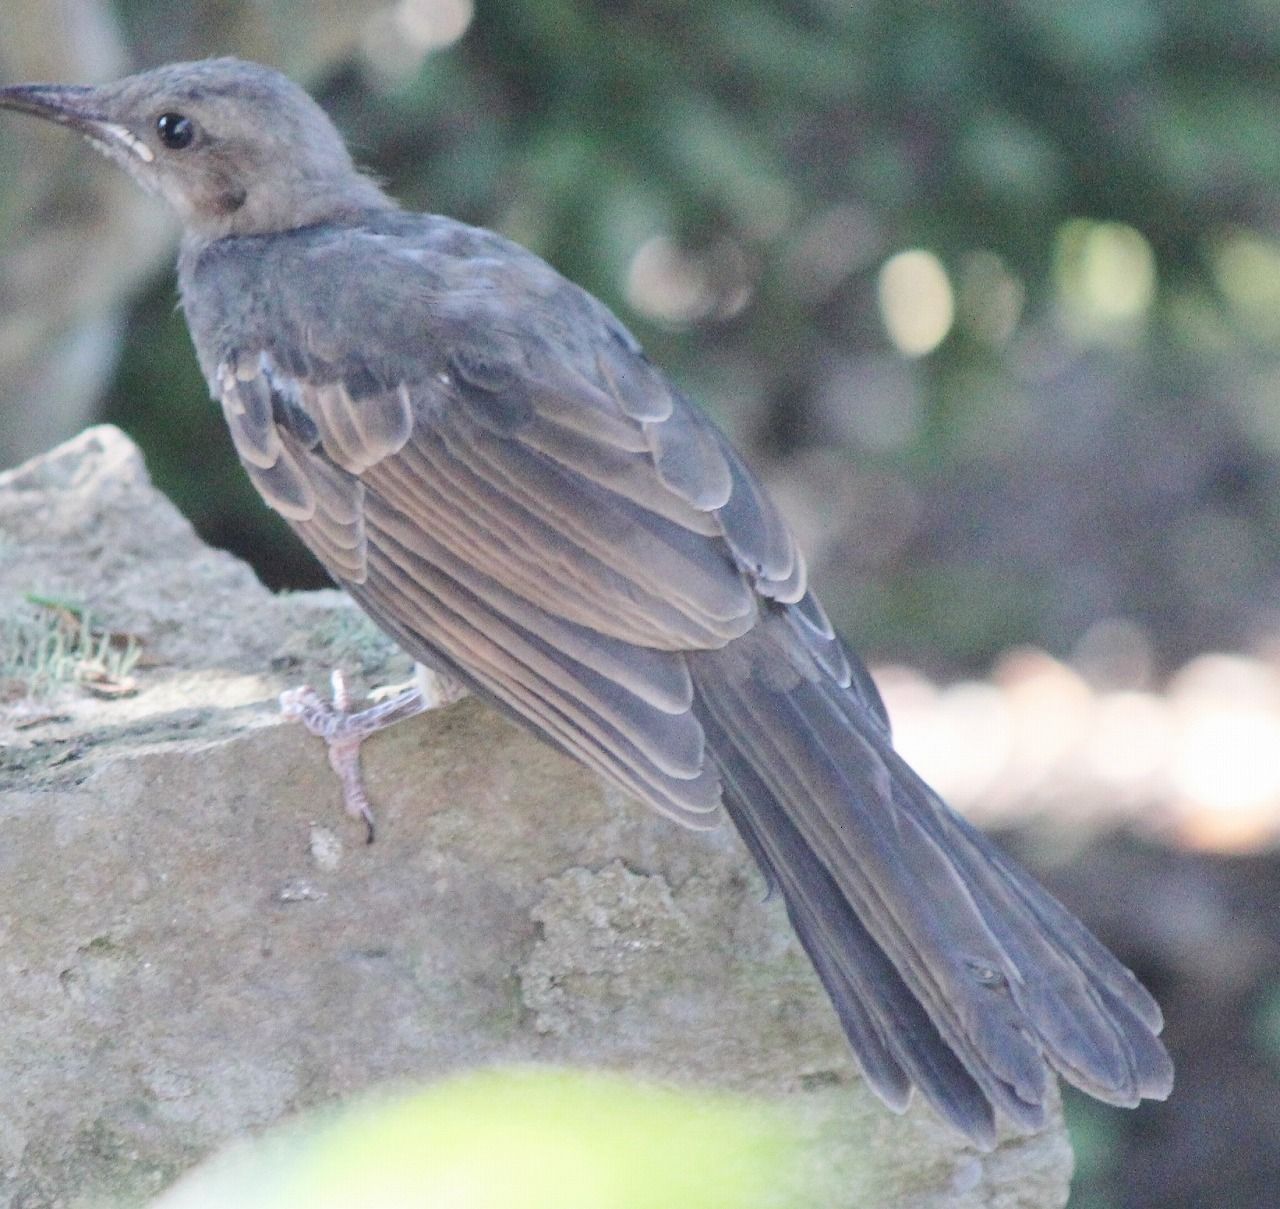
(559, 534)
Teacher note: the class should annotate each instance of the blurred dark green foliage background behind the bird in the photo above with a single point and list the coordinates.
(1063, 457)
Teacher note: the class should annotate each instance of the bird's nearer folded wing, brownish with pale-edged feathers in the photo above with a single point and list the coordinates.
(463, 535)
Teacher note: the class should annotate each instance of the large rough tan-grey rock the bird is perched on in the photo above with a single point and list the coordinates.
(198, 942)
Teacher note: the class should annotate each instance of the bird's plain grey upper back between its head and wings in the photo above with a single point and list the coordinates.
(395, 282)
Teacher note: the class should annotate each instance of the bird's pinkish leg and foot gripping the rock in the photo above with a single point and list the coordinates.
(345, 729)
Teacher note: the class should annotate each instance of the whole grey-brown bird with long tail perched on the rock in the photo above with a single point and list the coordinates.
(483, 457)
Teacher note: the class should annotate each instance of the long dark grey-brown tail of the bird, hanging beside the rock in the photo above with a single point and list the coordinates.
(950, 969)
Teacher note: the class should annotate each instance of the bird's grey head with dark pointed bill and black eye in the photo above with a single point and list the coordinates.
(235, 148)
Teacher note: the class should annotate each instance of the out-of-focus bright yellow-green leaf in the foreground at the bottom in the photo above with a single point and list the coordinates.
(538, 1139)
